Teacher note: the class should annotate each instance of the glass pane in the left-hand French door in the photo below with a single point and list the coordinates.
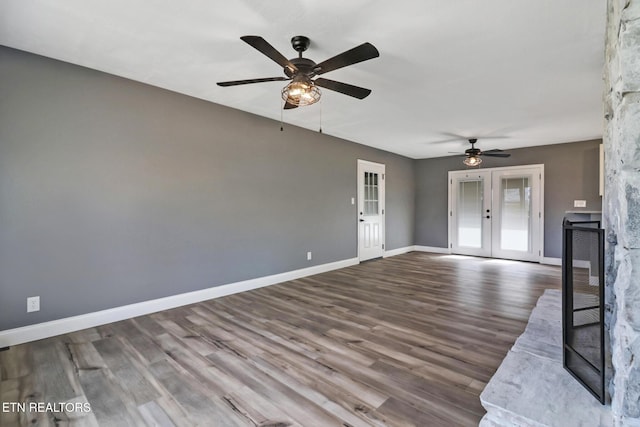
(470, 214)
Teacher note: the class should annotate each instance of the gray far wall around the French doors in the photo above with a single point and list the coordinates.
(571, 172)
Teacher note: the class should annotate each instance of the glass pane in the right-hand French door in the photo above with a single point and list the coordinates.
(515, 224)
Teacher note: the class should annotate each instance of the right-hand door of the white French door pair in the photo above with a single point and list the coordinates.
(516, 214)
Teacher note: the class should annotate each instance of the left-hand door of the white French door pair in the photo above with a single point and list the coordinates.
(470, 212)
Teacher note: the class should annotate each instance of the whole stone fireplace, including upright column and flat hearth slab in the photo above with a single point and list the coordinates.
(556, 401)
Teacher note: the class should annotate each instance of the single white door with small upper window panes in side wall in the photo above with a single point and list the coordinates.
(370, 210)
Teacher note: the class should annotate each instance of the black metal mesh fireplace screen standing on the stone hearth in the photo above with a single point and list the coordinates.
(583, 336)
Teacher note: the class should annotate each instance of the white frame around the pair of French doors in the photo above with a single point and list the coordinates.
(450, 221)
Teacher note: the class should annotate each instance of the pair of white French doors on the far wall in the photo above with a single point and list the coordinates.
(497, 212)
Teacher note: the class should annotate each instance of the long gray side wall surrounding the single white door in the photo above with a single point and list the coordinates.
(114, 192)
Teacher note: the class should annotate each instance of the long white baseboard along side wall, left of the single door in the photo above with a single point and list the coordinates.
(11, 337)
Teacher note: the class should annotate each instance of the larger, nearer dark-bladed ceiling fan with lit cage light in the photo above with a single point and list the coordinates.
(303, 89)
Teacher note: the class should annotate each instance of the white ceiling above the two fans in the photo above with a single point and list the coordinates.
(528, 72)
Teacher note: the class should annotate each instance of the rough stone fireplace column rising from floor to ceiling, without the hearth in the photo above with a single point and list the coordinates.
(621, 205)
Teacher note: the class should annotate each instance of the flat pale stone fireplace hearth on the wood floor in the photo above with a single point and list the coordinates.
(531, 387)
